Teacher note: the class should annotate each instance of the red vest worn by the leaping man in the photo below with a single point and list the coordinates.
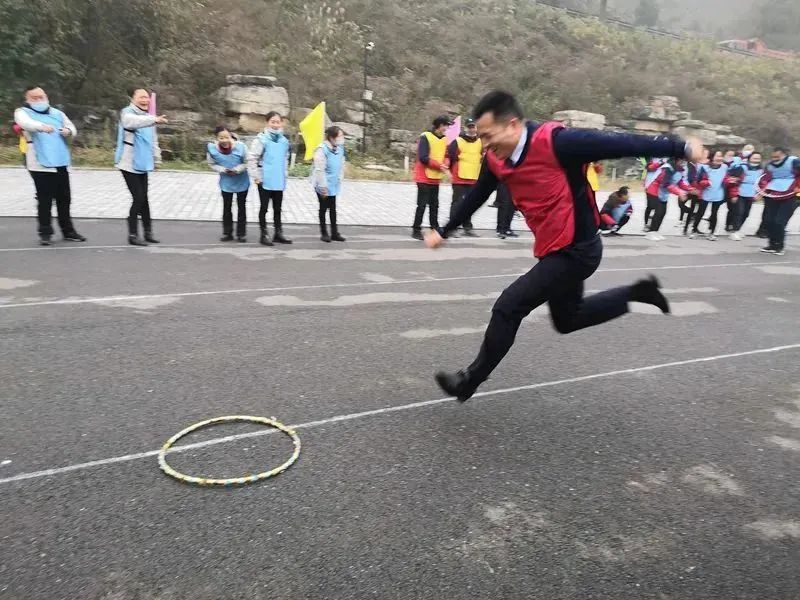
(540, 189)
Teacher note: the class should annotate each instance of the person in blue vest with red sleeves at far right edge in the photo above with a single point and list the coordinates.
(780, 197)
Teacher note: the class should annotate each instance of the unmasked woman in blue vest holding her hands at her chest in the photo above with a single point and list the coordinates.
(228, 157)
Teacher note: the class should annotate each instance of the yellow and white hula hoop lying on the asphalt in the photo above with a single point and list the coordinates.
(207, 481)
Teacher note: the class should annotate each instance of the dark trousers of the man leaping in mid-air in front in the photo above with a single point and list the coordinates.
(558, 280)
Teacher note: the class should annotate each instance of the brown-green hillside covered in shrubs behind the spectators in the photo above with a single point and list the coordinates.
(428, 53)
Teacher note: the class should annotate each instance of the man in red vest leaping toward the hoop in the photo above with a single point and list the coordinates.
(544, 167)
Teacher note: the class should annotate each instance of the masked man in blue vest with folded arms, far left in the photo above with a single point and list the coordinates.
(46, 130)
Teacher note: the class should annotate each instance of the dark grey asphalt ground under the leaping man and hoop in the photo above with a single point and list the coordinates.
(651, 457)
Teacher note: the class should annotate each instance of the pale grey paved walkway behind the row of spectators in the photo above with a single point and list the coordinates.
(179, 195)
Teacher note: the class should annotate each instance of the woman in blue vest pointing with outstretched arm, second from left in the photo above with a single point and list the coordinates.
(136, 156)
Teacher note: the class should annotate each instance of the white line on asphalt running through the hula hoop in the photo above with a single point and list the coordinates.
(392, 409)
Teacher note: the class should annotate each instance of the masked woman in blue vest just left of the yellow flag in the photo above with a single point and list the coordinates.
(268, 160)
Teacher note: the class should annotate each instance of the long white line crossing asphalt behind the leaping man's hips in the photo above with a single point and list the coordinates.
(102, 299)
